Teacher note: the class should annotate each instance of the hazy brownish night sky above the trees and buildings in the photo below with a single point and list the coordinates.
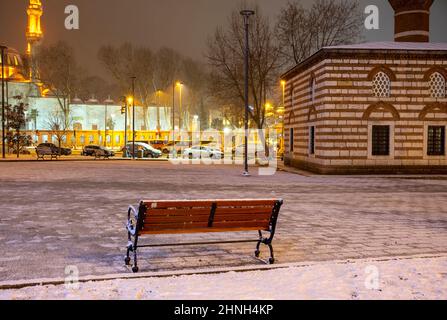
(181, 24)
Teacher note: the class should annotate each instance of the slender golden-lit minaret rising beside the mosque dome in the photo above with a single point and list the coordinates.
(34, 33)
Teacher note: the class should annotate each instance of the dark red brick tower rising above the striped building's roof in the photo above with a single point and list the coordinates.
(412, 20)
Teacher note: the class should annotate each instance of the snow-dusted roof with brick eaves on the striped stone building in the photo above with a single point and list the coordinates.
(370, 49)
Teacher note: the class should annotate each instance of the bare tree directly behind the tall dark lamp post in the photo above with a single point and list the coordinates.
(225, 56)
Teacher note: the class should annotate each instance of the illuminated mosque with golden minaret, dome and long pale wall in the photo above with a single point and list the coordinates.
(92, 121)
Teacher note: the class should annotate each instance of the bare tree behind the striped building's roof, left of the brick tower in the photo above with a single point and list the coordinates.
(301, 32)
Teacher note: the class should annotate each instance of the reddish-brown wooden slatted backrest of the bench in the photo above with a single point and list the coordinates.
(186, 216)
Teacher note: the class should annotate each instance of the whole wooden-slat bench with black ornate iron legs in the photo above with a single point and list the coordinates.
(201, 216)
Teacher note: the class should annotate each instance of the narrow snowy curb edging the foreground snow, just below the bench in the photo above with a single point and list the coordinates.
(21, 284)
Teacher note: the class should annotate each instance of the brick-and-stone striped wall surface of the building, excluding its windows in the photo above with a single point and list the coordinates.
(344, 109)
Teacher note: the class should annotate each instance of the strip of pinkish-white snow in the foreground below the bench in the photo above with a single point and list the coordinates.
(400, 278)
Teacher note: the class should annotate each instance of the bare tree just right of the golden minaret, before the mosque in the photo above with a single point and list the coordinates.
(58, 73)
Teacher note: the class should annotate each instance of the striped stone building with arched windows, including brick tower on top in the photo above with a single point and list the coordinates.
(374, 107)
